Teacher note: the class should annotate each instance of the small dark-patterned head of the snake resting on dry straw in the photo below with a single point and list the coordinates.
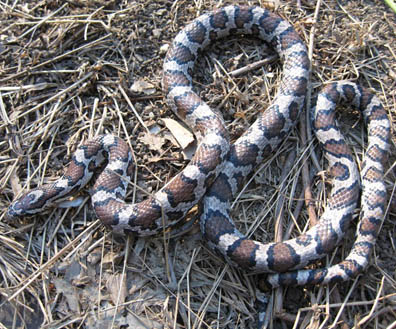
(28, 204)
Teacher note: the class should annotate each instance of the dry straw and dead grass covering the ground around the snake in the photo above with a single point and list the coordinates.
(66, 74)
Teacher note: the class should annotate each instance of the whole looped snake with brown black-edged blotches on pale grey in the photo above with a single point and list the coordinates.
(218, 169)
